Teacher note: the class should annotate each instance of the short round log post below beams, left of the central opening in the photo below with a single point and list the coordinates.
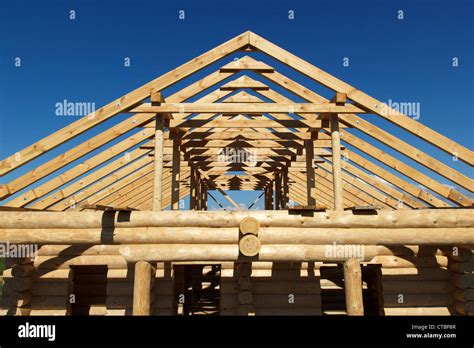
(142, 288)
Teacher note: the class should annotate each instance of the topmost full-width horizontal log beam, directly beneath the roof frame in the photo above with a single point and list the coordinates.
(429, 218)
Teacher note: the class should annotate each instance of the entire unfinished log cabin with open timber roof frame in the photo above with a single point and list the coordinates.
(347, 228)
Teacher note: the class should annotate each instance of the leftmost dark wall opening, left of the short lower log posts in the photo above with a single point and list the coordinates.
(89, 289)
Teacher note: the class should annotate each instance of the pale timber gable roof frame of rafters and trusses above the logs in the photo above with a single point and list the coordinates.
(129, 180)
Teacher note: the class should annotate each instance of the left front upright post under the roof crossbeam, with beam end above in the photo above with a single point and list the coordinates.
(156, 99)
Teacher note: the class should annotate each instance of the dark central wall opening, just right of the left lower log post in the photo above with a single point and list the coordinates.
(197, 289)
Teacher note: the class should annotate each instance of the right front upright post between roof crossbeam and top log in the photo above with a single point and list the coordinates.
(336, 162)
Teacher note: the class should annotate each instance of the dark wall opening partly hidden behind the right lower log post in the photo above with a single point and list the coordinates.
(333, 300)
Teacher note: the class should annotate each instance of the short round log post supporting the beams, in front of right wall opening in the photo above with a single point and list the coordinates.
(353, 287)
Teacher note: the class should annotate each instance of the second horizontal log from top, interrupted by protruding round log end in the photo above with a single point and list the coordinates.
(270, 235)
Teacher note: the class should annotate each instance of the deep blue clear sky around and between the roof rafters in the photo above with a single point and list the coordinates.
(407, 60)
